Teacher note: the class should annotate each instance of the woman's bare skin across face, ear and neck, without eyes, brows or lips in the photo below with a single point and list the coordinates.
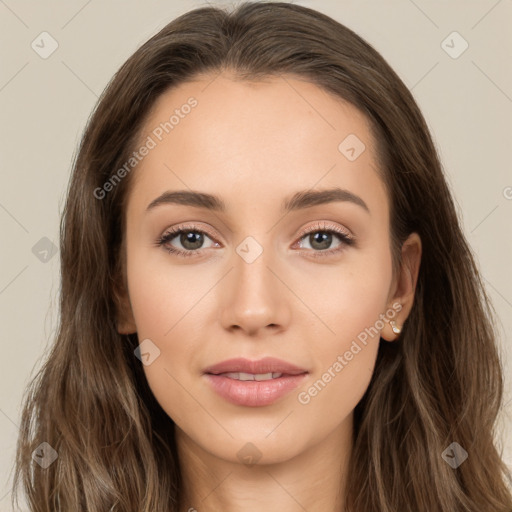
(254, 144)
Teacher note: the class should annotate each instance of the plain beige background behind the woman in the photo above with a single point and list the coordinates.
(45, 103)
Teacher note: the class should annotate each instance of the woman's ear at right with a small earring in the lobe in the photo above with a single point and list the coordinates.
(404, 285)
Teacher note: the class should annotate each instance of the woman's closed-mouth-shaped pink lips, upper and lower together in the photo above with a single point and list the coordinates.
(254, 393)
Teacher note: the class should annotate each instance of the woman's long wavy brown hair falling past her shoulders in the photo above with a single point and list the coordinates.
(441, 383)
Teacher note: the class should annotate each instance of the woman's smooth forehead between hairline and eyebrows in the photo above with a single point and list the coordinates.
(261, 137)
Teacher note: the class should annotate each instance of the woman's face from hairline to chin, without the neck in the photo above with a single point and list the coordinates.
(279, 271)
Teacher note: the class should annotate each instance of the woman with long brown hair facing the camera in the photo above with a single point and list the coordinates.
(267, 300)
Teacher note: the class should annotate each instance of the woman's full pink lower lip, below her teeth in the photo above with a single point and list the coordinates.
(253, 393)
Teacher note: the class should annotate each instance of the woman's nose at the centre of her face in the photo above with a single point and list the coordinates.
(254, 299)
